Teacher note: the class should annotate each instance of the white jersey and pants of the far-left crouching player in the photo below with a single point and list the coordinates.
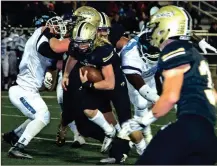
(25, 95)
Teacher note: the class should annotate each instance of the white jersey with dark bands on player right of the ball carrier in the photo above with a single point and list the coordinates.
(133, 61)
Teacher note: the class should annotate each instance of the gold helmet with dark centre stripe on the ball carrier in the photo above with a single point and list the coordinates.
(83, 36)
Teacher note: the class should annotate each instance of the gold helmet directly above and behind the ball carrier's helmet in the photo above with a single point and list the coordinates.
(88, 14)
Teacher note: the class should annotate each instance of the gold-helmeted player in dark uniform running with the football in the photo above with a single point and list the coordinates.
(107, 64)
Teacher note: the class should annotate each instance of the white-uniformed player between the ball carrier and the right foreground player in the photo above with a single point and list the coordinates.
(138, 51)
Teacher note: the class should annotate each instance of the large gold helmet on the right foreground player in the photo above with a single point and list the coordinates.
(170, 22)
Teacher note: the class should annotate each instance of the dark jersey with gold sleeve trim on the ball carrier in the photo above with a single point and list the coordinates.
(102, 56)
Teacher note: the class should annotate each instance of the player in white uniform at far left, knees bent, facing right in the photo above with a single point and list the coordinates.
(37, 56)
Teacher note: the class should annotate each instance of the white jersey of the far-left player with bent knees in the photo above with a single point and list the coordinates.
(33, 65)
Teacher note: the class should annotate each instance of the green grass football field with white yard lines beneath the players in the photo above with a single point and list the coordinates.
(43, 148)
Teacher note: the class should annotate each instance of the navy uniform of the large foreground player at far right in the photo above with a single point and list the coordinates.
(191, 139)
